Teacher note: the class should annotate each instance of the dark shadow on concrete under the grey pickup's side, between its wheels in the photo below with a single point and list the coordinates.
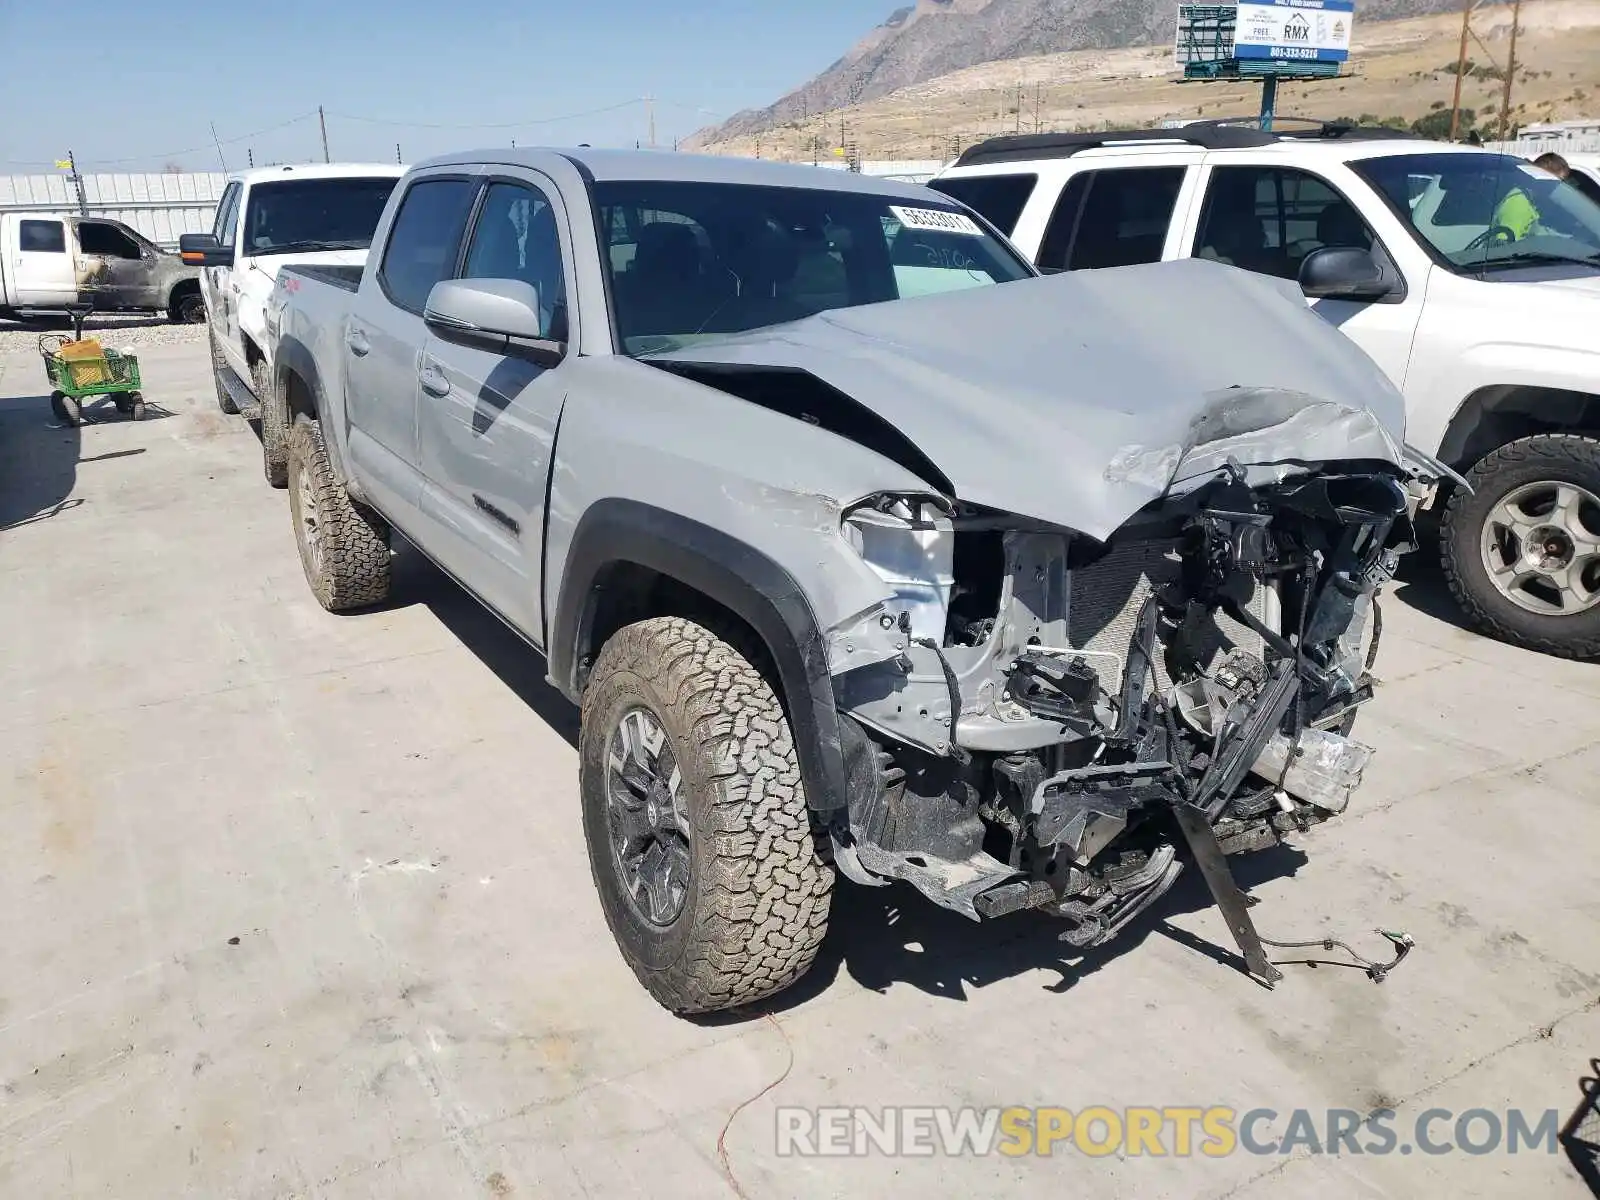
(518, 665)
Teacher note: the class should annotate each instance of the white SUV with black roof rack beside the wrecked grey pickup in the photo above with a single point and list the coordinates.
(1471, 278)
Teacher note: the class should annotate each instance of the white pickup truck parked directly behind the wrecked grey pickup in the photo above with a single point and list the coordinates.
(271, 218)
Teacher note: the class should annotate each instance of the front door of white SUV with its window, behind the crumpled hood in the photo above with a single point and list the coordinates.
(1270, 218)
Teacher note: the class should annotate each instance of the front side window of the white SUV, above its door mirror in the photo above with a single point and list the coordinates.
(1270, 220)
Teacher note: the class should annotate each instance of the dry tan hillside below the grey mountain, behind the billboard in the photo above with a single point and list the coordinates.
(1401, 70)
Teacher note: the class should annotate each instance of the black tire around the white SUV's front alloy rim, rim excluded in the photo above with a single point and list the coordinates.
(1567, 458)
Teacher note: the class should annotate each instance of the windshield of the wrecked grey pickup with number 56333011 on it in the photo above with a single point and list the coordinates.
(698, 260)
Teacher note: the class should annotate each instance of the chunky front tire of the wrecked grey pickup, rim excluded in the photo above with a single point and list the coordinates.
(758, 902)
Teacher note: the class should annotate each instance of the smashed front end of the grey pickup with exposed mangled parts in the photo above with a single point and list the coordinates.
(1039, 721)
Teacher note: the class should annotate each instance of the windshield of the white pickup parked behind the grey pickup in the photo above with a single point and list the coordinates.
(310, 215)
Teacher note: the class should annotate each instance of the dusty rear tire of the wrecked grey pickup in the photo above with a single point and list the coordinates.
(353, 570)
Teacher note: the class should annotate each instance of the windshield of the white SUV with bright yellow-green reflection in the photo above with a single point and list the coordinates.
(1484, 212)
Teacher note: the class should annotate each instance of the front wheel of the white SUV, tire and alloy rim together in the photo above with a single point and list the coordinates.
(1522, 553)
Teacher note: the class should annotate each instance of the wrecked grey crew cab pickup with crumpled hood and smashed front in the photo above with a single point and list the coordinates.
(1028, 596)
